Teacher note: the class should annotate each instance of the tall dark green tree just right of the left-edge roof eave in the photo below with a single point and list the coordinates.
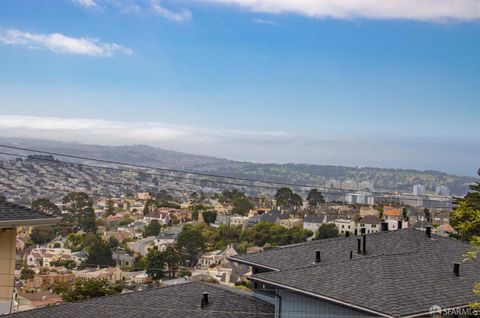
(80, 207)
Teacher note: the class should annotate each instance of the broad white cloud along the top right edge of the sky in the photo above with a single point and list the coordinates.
(421, 10)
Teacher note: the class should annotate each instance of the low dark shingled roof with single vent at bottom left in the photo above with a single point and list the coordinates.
(174, 301)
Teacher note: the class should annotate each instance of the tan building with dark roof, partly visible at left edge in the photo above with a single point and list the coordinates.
(11, 217)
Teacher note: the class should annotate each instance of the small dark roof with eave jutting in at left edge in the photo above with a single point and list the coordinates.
(12, 215)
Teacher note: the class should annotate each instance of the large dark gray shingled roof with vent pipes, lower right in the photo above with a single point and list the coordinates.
(403, 273)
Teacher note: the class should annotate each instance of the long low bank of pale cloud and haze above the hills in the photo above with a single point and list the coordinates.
(256, 146)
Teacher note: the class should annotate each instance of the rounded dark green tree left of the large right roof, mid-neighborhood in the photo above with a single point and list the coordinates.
(191, 243)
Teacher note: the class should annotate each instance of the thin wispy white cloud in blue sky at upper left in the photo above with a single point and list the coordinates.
(59, 43)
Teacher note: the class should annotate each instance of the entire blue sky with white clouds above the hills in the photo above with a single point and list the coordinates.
(266, 81)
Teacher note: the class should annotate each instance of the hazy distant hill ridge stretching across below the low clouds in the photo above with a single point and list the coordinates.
(401, 180)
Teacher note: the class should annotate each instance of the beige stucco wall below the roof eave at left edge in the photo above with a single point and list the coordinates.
(7, 267)
